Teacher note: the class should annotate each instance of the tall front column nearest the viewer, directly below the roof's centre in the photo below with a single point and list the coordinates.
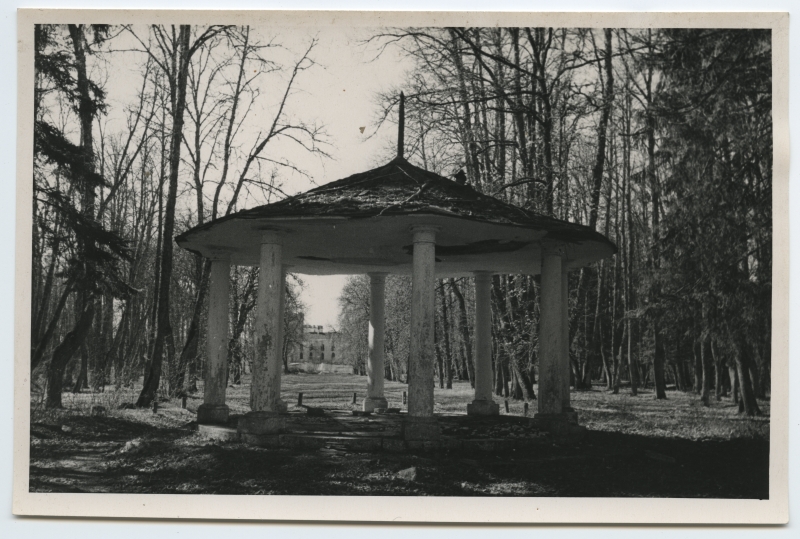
(421, 424)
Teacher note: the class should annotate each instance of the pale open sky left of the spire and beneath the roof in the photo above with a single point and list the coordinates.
(339, 92)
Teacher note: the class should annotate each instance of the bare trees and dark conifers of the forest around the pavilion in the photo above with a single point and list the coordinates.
(660, 139)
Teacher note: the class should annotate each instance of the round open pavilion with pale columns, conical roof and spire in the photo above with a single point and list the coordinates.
(395, 219)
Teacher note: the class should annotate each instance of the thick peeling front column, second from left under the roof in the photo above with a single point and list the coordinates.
(265, 389)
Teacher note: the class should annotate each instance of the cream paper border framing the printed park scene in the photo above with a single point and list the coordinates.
(410, 509)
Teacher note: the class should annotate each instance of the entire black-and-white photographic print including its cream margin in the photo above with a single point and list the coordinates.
(493, 259)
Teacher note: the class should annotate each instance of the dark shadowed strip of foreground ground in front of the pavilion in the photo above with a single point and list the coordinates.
(76, 453)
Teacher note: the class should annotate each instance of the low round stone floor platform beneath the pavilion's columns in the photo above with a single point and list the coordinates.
(382, 432)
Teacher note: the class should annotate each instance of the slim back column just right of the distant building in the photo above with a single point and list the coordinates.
(375, 367)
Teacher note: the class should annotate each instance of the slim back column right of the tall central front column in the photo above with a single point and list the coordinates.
(483, 403)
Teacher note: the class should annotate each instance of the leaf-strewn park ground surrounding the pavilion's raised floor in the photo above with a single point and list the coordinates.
(634, 446)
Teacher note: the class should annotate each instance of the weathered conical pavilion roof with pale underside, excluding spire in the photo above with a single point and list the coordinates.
(362, 223)
